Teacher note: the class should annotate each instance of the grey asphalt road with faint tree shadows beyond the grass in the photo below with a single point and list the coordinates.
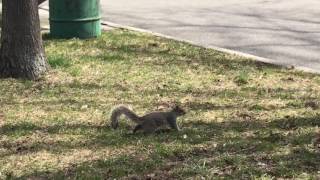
(286, 31)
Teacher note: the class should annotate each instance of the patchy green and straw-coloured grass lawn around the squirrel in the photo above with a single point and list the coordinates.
(245, 119)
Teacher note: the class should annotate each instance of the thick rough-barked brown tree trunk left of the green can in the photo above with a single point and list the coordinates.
(22, 53)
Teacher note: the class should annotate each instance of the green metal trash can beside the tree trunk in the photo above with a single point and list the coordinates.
(75, 18)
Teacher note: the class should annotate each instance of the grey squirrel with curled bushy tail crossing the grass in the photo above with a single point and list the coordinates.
(150, 122)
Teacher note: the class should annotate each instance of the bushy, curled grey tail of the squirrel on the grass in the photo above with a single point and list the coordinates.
(118, 111)
